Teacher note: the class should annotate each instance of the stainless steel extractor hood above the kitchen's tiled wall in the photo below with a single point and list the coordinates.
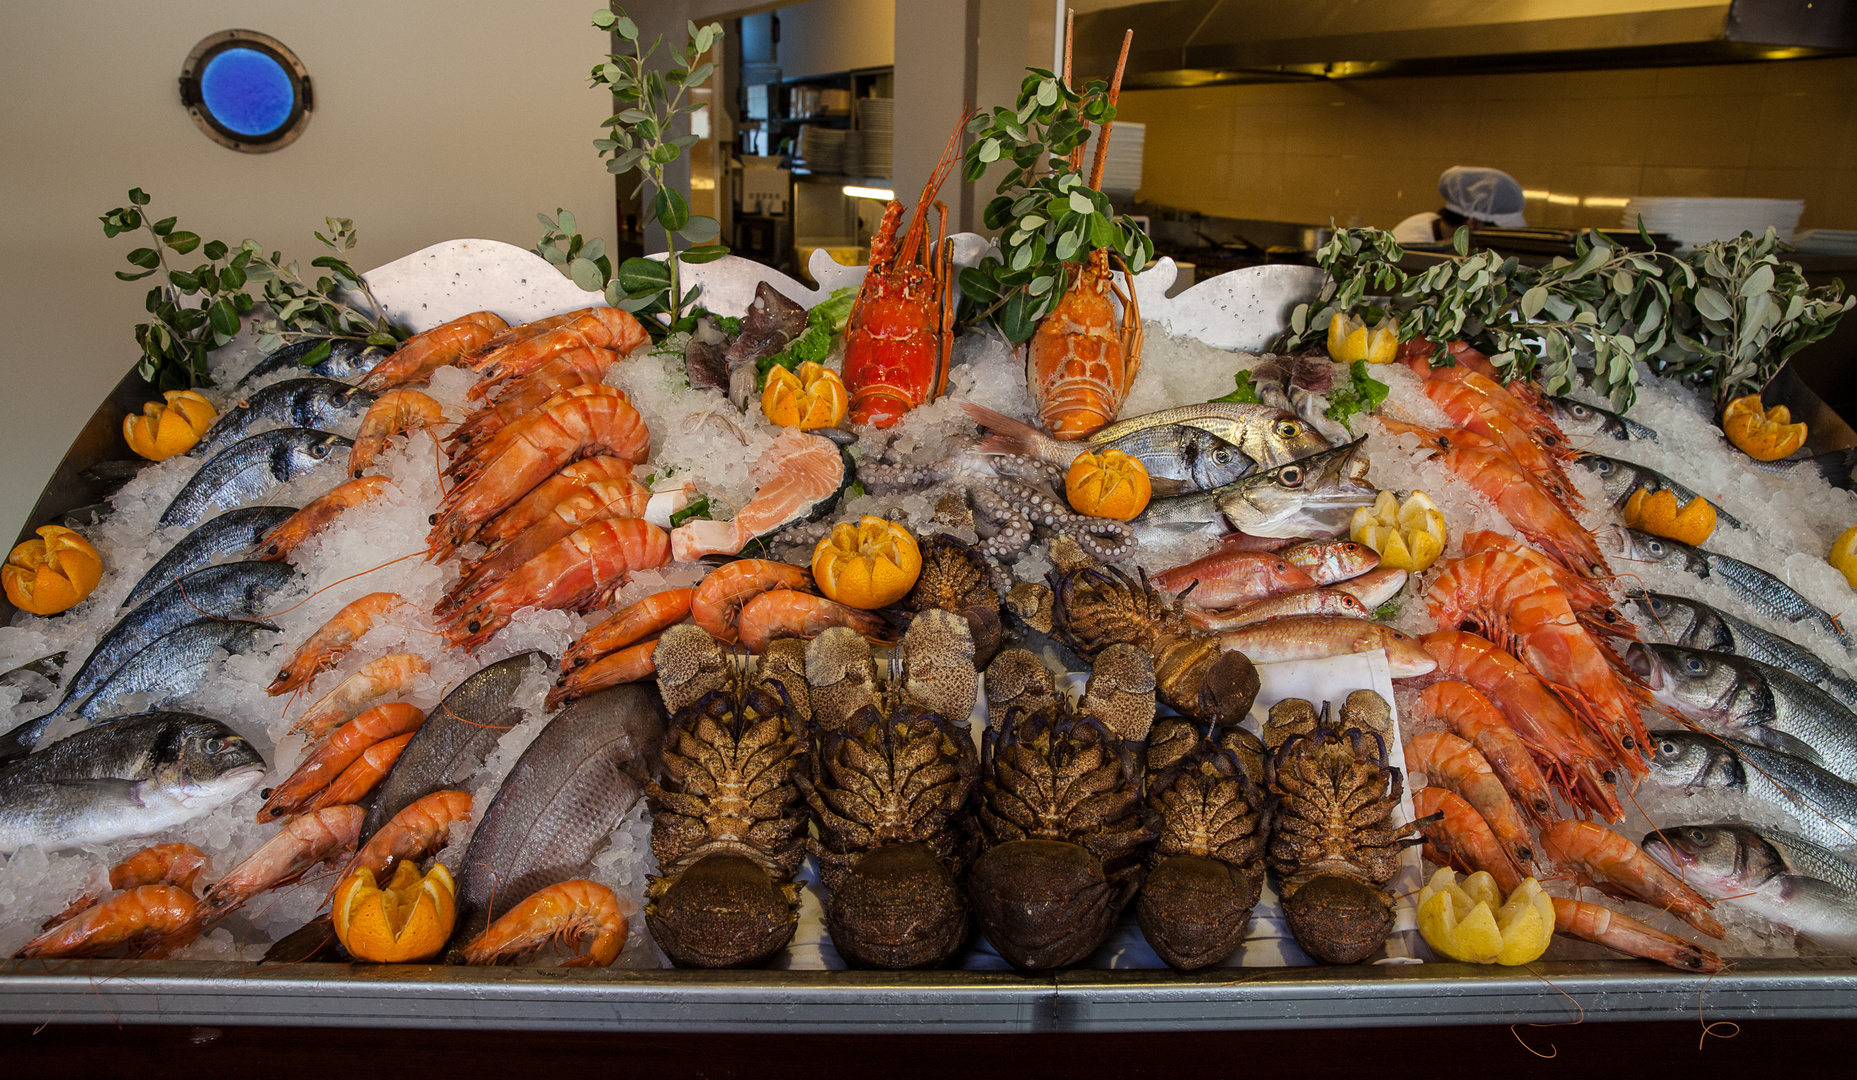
(1217, 42)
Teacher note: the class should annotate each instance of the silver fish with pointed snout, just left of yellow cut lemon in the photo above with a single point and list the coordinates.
(1314, 496)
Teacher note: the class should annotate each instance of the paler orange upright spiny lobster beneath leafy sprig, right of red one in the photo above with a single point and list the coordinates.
(1082, 363)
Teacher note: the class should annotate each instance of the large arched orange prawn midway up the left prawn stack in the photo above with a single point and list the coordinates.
(575, 430)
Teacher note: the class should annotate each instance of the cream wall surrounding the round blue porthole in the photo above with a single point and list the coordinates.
(434, 120)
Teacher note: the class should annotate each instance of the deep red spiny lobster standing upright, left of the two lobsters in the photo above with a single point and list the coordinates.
(902, 331)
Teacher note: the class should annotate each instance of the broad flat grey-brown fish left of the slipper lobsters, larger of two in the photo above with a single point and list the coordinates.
(562, 801)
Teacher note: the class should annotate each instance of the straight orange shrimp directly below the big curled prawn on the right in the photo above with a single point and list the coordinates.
(1544, 725)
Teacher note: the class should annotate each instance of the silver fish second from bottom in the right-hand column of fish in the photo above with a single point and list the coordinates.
(1763, 780)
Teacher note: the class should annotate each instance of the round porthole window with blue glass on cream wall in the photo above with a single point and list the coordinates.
(248, 92)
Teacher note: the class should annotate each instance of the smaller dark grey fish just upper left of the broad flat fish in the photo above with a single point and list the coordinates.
(454, 741)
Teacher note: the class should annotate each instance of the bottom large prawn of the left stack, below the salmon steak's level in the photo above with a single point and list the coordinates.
(577, 572)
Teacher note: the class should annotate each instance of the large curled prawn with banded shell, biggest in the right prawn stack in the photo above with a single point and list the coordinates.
(1516, 604)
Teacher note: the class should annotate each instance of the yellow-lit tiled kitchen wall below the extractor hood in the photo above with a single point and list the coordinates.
(1370, 151)
